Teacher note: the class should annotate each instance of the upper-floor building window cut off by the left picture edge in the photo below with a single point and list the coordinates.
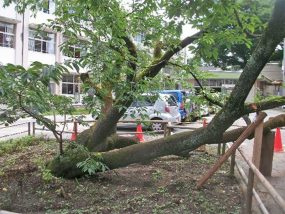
(7, 35)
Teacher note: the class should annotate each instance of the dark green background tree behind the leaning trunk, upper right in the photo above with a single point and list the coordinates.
(251, 17)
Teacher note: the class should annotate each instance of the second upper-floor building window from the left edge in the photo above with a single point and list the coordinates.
(41, 42)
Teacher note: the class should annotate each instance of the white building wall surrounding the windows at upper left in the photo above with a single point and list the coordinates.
(20, 54)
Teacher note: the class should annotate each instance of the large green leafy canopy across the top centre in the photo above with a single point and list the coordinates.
(117, 63)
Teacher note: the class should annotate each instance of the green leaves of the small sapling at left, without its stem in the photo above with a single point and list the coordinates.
(27, 90)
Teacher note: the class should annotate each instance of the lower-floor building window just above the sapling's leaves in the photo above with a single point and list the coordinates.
(70, 84)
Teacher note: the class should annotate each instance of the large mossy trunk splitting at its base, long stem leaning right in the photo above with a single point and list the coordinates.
(96, 137)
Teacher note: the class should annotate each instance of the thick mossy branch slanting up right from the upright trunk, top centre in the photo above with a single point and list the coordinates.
(157, 64)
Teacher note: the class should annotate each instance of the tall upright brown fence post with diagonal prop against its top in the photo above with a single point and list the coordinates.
(256, 161)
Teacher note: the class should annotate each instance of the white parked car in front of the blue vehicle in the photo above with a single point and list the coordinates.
(154, 107)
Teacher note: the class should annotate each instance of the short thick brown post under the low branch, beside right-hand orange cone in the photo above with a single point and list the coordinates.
(267, 154)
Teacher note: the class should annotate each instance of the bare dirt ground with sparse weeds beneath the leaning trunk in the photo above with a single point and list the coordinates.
(166, 185)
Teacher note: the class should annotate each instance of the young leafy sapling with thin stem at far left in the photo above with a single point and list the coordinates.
(25, 92)
